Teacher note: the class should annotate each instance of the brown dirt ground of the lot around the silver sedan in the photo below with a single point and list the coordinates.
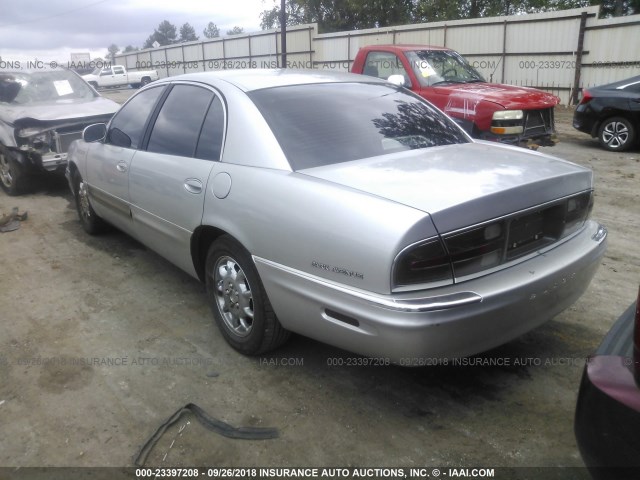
(102, 341)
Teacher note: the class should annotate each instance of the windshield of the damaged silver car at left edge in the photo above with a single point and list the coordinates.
(40, 87)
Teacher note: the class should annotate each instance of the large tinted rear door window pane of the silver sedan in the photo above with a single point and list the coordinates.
(180, 120)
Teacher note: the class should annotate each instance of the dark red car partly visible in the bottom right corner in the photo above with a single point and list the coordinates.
(607, 421)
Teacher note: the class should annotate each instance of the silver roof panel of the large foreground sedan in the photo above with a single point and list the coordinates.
(257, 79)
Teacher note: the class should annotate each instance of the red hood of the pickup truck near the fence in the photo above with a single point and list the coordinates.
(508, 96)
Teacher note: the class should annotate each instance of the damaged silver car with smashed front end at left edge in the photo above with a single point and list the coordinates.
(41, 113)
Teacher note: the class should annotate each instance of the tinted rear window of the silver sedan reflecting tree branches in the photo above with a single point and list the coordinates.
(323, 124)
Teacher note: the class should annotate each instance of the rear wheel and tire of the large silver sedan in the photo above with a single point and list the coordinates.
(238, 300)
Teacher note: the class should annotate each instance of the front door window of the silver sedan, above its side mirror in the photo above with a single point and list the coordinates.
(128, 125)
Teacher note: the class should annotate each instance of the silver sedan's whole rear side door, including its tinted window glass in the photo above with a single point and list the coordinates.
(167, 181)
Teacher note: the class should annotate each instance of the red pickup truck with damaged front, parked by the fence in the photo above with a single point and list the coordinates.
(489, 111)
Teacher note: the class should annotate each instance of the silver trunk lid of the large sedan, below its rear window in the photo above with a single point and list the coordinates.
(461, 185)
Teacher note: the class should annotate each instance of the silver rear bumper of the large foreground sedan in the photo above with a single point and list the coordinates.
(448, 322)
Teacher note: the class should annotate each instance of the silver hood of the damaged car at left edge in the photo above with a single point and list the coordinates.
(58, 111)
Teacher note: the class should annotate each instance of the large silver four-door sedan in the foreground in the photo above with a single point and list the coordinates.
(343, 208)
